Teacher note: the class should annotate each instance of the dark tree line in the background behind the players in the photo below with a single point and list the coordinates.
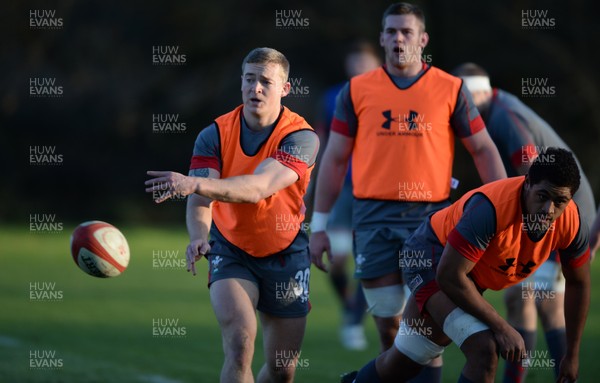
(113, 90)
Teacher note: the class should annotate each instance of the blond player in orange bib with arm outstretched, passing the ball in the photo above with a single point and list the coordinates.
(248, 176)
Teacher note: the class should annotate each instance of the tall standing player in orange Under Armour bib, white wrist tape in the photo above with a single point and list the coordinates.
(398, 123)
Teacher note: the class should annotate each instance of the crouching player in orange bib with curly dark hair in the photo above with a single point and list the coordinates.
(486, 240)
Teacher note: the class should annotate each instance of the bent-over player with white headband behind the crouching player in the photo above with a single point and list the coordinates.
(519, 133)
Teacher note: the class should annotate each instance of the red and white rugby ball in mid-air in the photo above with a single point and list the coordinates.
(100, 249)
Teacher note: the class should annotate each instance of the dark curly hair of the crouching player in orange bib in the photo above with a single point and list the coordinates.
(557, 166)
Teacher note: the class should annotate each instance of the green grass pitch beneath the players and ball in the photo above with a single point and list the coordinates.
(155, 324)
